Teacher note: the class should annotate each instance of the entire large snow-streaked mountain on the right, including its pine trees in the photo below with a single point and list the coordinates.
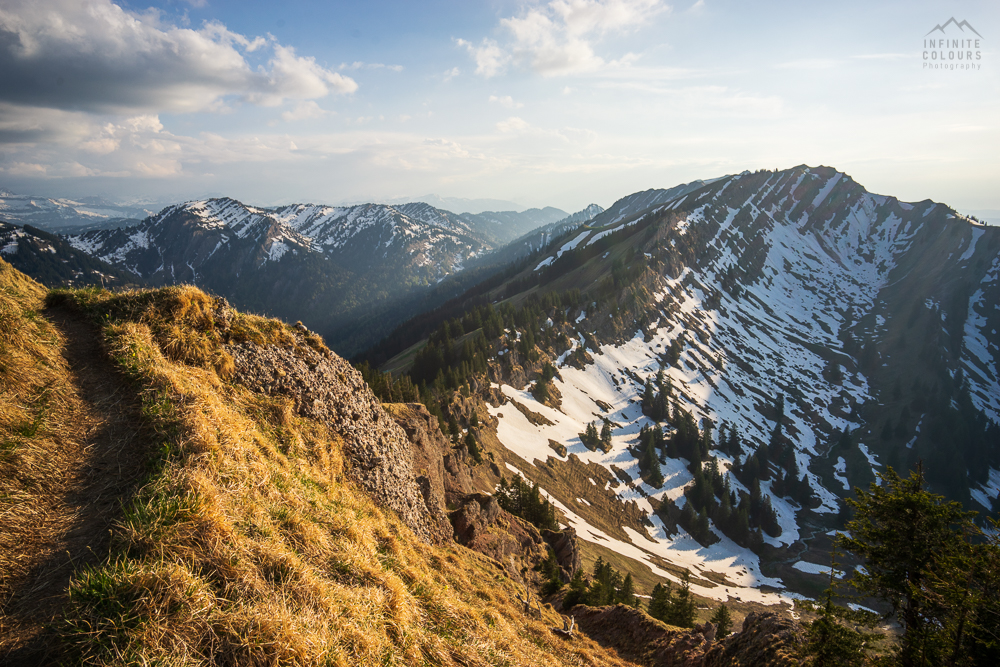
(783, 310)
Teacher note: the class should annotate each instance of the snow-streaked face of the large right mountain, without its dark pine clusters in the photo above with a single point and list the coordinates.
(797, 283)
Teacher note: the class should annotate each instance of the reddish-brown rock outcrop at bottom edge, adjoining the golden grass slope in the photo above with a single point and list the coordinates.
(638, 637)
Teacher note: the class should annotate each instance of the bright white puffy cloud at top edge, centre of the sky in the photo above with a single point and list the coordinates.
(559, 37)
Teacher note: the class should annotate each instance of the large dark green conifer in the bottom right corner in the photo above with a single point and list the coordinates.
(925, 558)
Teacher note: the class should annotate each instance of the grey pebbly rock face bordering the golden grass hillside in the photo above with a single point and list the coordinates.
(324, 387)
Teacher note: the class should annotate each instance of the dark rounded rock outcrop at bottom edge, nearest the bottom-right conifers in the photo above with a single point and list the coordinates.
(766, 640)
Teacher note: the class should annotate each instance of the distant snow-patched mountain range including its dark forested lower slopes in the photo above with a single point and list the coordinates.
(350, 272)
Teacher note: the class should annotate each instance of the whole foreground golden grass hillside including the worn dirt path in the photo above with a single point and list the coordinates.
(234, 529)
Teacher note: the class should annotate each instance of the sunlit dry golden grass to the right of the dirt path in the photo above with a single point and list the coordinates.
(247, 546)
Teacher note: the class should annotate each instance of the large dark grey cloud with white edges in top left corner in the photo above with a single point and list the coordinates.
(97, 56)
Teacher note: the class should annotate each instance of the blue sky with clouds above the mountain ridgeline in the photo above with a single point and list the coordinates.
(546, 103)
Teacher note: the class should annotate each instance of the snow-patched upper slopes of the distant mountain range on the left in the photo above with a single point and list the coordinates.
(431, 242)
